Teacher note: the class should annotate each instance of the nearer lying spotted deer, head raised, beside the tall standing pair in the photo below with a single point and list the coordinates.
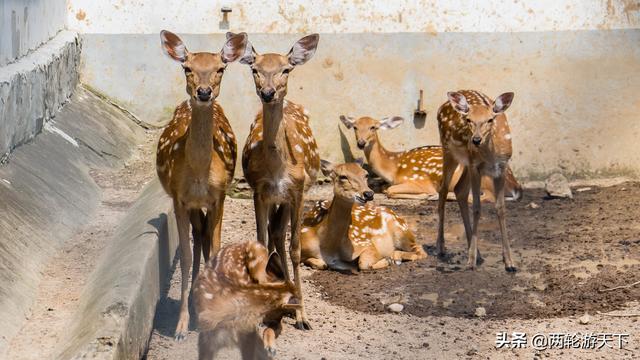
(336, 234)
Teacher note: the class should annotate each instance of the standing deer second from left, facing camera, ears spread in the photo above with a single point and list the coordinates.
(280, 158)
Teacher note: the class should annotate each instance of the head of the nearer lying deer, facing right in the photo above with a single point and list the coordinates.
(349, 181)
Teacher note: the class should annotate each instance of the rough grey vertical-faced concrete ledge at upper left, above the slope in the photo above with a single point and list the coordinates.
(33, 89)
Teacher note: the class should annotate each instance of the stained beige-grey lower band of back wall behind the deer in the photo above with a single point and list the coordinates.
(575, 108)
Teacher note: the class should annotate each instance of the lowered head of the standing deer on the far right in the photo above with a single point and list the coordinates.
(480, 117)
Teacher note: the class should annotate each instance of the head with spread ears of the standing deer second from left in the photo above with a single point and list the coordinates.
(271, 71)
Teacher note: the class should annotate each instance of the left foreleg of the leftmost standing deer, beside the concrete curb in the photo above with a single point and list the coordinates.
(182, 220)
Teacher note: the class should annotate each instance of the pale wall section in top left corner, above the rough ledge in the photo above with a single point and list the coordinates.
(25, 25)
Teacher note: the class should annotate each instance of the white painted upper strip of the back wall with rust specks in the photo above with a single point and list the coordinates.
(339, 16)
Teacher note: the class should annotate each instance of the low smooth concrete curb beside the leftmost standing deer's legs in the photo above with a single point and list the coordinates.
(115, 317)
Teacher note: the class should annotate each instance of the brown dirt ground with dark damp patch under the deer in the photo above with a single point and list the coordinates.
(567, 252)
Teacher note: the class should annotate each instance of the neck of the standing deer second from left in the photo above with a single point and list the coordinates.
(274, 141)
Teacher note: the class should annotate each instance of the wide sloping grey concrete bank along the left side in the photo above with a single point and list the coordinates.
(47, 194)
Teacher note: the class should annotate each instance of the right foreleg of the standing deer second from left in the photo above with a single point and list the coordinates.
(295, 254)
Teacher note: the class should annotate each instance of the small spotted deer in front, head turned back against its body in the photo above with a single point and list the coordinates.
(240, 298)
